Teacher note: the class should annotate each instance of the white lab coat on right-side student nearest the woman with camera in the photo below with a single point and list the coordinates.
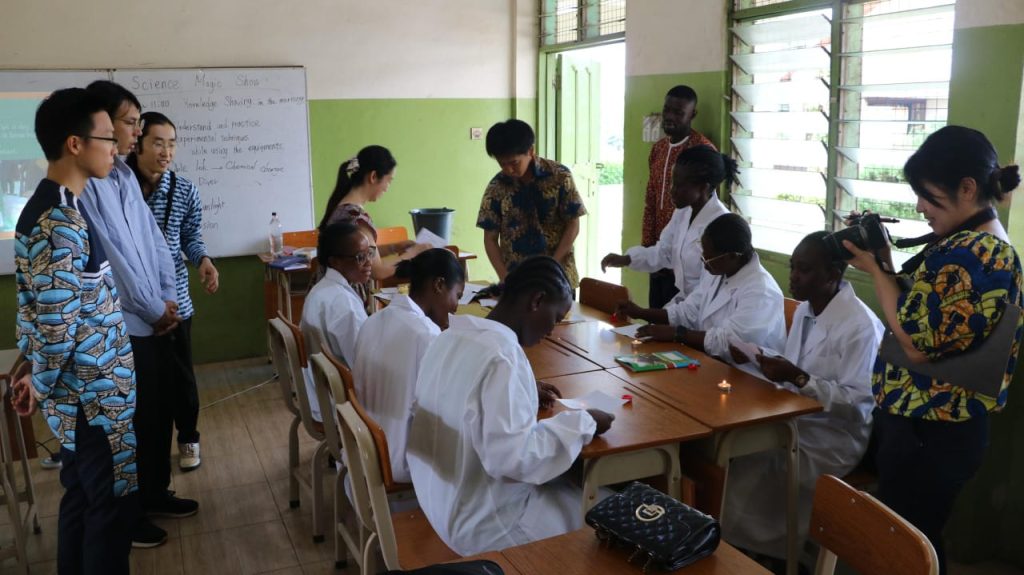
(838, 356)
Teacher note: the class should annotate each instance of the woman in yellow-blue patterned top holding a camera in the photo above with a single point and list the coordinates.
(932, 435)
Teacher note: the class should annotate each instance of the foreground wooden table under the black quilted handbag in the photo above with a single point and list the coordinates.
(581, 553)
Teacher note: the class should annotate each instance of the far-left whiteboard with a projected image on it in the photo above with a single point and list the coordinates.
(22, 161)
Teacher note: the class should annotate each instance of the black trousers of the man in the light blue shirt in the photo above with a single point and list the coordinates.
(154, 416)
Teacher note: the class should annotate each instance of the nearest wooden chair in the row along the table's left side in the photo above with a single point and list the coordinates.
(406, 540)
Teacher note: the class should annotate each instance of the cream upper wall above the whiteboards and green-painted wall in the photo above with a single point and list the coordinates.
(352, 49)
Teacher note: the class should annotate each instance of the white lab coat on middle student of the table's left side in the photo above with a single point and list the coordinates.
(389, 353)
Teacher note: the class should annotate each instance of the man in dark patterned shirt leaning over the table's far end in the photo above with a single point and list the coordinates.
(532, 207)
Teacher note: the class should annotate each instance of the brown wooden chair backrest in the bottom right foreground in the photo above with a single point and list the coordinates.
(866, 535)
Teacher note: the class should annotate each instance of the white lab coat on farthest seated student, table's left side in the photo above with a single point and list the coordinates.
(332, 317)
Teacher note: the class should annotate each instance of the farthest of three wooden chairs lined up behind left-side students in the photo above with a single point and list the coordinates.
(288, 353)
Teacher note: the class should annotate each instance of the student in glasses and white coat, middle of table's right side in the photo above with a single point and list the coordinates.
(737, 299)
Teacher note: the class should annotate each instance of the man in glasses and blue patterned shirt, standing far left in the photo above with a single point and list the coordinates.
(73, 335)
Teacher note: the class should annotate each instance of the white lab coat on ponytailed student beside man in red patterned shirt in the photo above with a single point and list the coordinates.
(679, 247)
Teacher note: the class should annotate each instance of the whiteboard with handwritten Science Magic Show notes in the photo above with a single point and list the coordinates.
(243, 139)
